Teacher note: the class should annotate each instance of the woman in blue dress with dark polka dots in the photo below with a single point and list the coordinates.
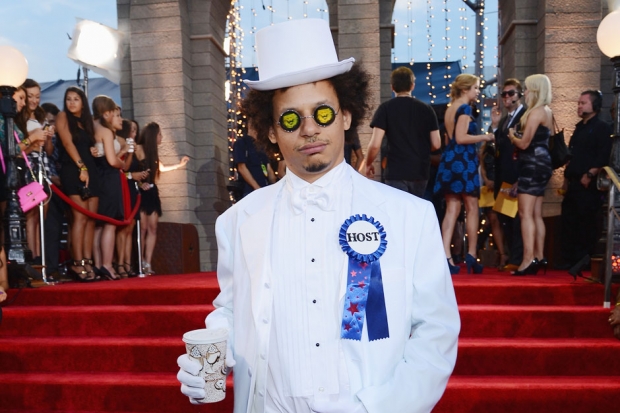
(457, 176)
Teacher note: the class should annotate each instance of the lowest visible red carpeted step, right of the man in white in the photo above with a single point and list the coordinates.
(548, 394)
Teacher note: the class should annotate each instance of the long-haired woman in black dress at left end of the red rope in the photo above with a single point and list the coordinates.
(79, 177)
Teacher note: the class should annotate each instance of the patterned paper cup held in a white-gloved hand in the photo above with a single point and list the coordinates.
(208, 347)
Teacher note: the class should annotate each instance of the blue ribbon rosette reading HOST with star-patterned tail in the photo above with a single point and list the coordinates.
(362, 238)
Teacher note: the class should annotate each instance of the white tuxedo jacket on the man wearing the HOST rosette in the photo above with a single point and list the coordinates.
(406, 372)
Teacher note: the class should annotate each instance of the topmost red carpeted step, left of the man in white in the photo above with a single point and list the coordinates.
(186, 289)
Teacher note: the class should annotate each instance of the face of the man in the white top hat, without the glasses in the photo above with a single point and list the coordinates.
(311, 150)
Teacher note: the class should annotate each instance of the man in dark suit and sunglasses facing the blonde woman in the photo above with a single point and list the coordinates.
(506, 164)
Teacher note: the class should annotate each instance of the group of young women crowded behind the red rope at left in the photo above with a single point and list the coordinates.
(101, 166)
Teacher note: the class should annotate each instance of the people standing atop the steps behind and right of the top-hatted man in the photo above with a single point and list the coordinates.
(513, 157)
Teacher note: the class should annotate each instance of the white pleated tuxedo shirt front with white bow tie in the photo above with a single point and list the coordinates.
(306, 369)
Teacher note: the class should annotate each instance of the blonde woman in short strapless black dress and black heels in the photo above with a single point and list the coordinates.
(534, 166)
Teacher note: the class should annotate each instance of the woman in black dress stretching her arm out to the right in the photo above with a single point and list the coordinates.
(150, 208)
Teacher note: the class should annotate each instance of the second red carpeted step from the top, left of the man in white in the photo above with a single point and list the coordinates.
(102, 320)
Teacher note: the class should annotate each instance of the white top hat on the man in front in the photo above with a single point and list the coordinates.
(294, 53)
